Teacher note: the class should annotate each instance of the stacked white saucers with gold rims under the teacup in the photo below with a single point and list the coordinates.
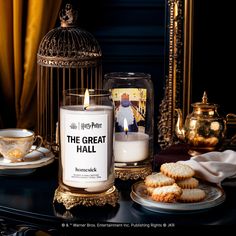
(43, 156)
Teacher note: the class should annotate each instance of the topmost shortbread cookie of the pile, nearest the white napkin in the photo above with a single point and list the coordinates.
(177, 171)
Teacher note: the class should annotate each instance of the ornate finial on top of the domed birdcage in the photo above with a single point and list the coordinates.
(68, 16)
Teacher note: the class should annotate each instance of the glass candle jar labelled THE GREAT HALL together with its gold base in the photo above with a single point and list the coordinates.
(86, 144)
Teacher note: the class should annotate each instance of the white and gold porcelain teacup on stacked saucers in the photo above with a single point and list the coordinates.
(16, 143)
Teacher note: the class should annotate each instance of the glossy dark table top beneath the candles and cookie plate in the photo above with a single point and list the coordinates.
(26, 204)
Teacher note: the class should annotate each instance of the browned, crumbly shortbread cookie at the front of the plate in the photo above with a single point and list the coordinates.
(168, 193)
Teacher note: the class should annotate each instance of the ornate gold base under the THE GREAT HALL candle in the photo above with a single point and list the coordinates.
(69, 199)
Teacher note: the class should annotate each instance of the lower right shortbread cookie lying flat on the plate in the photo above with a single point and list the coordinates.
(192, 195)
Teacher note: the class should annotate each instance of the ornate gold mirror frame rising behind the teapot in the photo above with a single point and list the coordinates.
(178, 79)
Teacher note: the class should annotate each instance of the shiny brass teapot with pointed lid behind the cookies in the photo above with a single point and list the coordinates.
(204, 130)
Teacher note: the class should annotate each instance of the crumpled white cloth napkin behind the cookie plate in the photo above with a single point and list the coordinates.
(214, 166)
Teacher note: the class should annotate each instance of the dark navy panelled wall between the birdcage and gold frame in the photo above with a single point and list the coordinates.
(131, 34)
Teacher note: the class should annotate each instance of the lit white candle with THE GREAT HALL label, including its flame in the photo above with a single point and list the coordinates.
(86, 133)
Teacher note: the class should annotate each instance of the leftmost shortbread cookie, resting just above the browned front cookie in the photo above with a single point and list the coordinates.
(158, 180)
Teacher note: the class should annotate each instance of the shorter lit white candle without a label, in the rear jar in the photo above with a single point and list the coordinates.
(130, 146)
